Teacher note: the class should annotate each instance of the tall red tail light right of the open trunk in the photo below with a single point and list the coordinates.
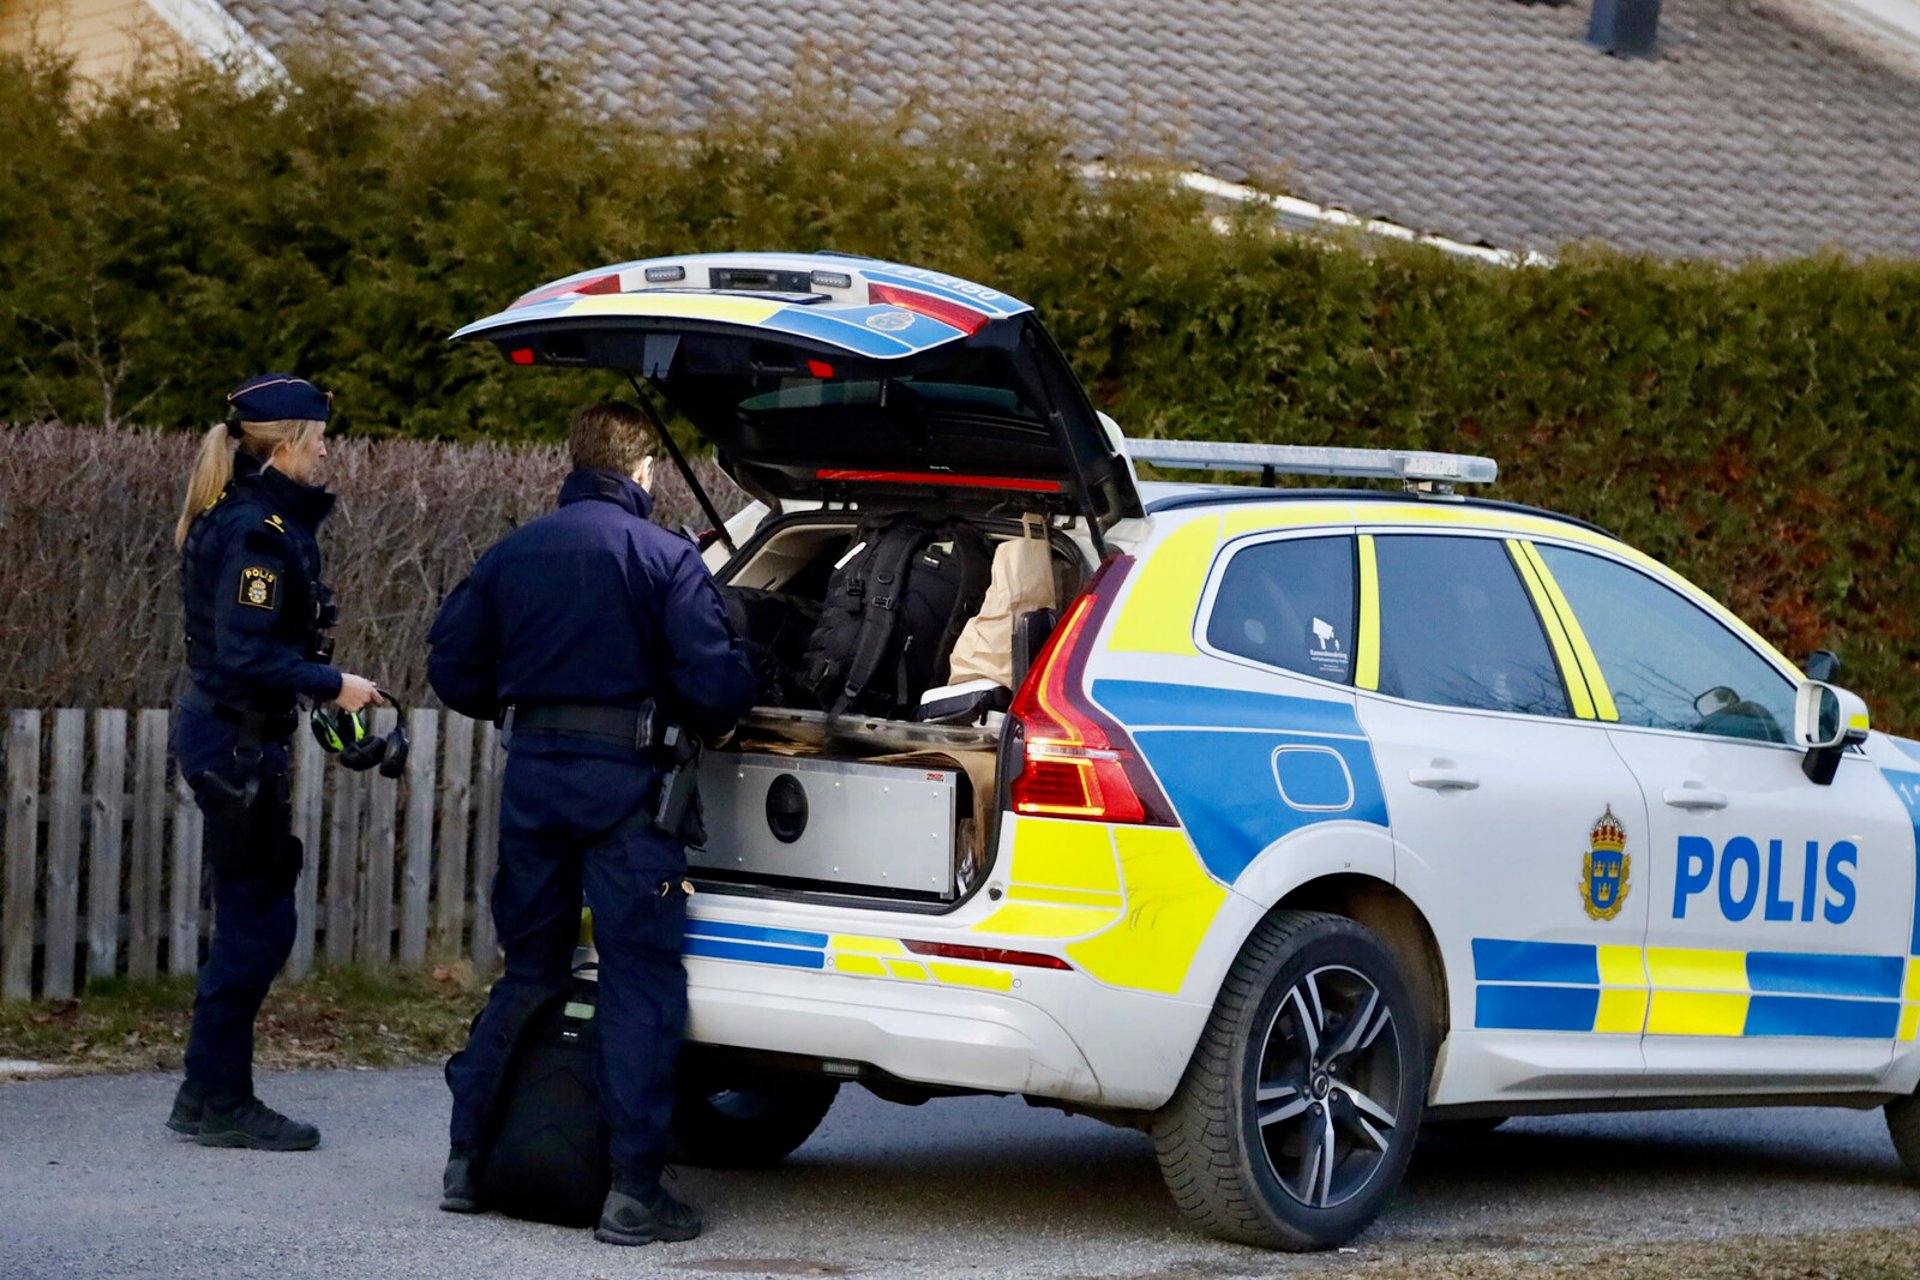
(1072, 761)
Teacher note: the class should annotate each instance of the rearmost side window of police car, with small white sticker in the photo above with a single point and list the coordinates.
(1289, 605)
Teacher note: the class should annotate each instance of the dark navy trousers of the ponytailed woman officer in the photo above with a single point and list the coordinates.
(252, 913)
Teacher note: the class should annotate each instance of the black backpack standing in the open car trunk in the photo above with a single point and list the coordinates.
(894, 611)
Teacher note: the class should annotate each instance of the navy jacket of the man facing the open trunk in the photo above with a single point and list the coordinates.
(592, 604)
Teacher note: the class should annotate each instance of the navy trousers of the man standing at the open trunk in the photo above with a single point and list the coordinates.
(556, 817)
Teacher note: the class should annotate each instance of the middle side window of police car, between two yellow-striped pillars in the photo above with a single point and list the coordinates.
(1460, 630)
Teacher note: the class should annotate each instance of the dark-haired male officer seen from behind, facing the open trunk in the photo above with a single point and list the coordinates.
(587, 632)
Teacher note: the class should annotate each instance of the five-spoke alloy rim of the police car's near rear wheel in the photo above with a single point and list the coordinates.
(1328, 1087)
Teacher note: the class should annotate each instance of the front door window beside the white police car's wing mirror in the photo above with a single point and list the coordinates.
(1669, 663)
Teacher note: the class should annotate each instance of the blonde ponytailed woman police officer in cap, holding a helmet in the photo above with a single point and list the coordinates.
(256, 619)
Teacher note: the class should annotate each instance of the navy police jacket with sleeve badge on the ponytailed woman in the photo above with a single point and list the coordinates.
(251, 582)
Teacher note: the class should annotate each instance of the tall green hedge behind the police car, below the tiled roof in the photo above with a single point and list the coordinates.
(1758, 427)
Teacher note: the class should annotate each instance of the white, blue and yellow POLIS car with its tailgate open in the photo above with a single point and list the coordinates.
(1320, 817)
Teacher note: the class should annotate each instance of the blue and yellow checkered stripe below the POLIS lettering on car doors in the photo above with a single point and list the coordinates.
(1692, 993)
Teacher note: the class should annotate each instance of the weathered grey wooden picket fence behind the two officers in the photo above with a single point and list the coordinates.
(101, 863)
